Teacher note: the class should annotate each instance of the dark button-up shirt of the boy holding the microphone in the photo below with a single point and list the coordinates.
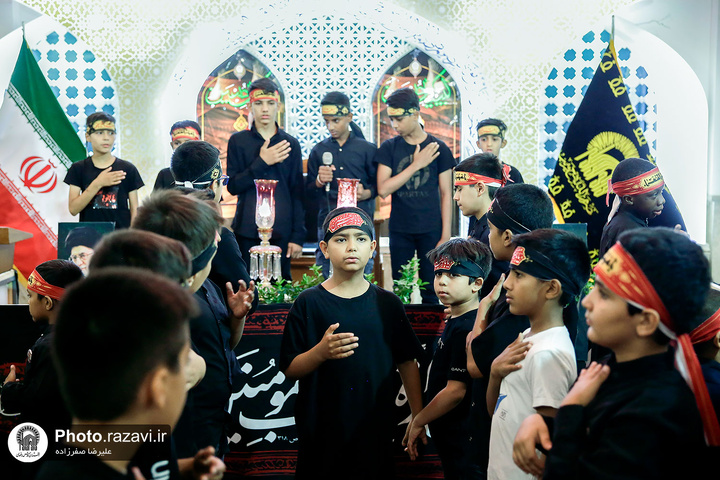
(355, 159)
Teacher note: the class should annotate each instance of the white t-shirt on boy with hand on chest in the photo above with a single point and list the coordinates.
(547, 372)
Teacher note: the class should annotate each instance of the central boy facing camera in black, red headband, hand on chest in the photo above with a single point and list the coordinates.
(346, 396)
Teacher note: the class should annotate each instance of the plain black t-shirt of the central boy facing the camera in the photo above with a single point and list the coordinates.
(344, 409)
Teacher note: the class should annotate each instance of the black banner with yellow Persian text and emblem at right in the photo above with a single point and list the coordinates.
(604, 131)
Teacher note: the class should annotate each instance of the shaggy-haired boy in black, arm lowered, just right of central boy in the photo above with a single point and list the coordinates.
(461, 266)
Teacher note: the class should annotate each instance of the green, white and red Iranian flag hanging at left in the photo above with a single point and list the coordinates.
(37, 146)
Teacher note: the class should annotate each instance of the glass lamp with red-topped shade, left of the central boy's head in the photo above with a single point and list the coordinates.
(265, 258)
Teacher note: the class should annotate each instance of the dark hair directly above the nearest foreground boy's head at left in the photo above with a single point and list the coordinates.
(143, 249)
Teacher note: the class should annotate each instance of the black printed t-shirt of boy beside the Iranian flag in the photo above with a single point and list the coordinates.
(111, 204)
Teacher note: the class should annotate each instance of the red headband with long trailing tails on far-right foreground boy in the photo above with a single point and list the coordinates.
(624, 277)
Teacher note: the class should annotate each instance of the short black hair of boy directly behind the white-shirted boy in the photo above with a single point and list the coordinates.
(527, 204)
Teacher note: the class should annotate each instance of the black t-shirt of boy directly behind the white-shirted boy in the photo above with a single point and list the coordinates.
(503, 328)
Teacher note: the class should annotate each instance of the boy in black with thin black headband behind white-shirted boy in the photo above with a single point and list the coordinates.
(517, 208)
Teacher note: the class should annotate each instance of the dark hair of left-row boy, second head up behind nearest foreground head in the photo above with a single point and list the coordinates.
(185, 218)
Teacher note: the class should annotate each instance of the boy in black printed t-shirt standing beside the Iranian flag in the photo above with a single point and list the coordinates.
(103, 188)
